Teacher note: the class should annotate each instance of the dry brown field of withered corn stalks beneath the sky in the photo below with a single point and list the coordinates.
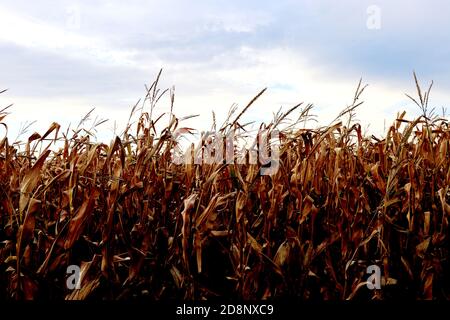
(143, 227)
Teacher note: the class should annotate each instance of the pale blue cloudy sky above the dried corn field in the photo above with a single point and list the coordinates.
(61, 58)
